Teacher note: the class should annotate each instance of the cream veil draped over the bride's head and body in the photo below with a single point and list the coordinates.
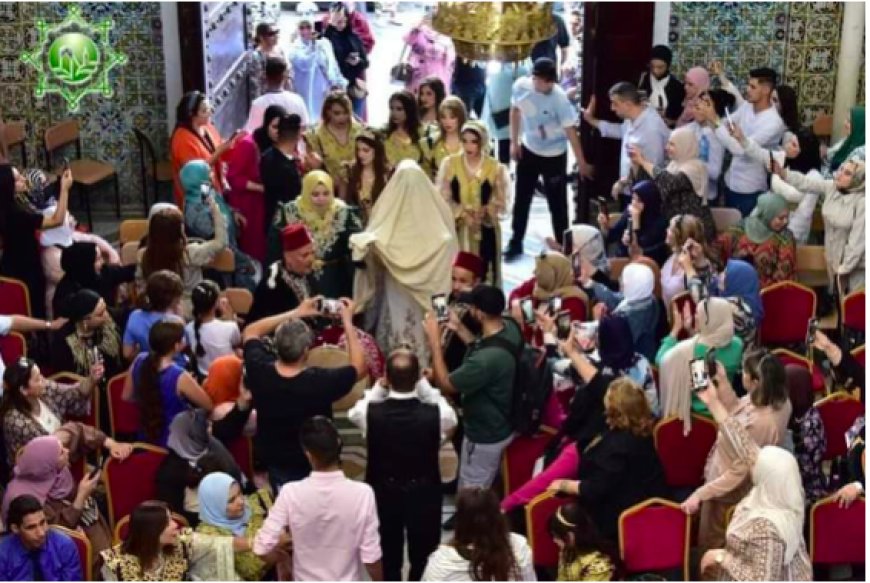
(411, 233)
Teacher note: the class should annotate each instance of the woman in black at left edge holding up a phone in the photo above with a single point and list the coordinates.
(19, 222)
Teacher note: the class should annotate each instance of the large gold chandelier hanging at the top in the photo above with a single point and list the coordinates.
(501, 31)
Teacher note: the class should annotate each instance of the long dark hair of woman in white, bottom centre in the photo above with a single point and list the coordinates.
(482, 536)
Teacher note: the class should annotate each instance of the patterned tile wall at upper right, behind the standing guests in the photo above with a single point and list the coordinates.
(800, 40)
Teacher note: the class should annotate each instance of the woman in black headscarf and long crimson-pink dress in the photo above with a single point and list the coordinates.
(246, 187)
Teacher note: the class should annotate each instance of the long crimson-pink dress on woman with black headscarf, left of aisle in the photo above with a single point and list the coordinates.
(244, 167)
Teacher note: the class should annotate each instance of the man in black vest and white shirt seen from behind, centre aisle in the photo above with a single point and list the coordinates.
(405, 420)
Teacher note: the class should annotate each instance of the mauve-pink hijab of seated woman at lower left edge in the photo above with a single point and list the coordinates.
(36, 473)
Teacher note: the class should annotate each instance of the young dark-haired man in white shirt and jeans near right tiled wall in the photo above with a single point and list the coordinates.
(746, 178)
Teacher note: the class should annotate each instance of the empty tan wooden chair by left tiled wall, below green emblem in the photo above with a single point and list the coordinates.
(87, 173)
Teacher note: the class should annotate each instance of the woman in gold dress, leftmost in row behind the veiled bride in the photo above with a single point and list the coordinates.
(331, 144)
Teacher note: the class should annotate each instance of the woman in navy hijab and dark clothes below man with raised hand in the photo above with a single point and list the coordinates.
(648, 227)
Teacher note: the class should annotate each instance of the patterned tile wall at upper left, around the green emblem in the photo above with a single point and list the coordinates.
(106, 123)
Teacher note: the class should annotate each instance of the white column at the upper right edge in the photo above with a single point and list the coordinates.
(848, 64)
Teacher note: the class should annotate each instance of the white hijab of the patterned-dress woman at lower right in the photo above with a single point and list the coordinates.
(777, 495)
